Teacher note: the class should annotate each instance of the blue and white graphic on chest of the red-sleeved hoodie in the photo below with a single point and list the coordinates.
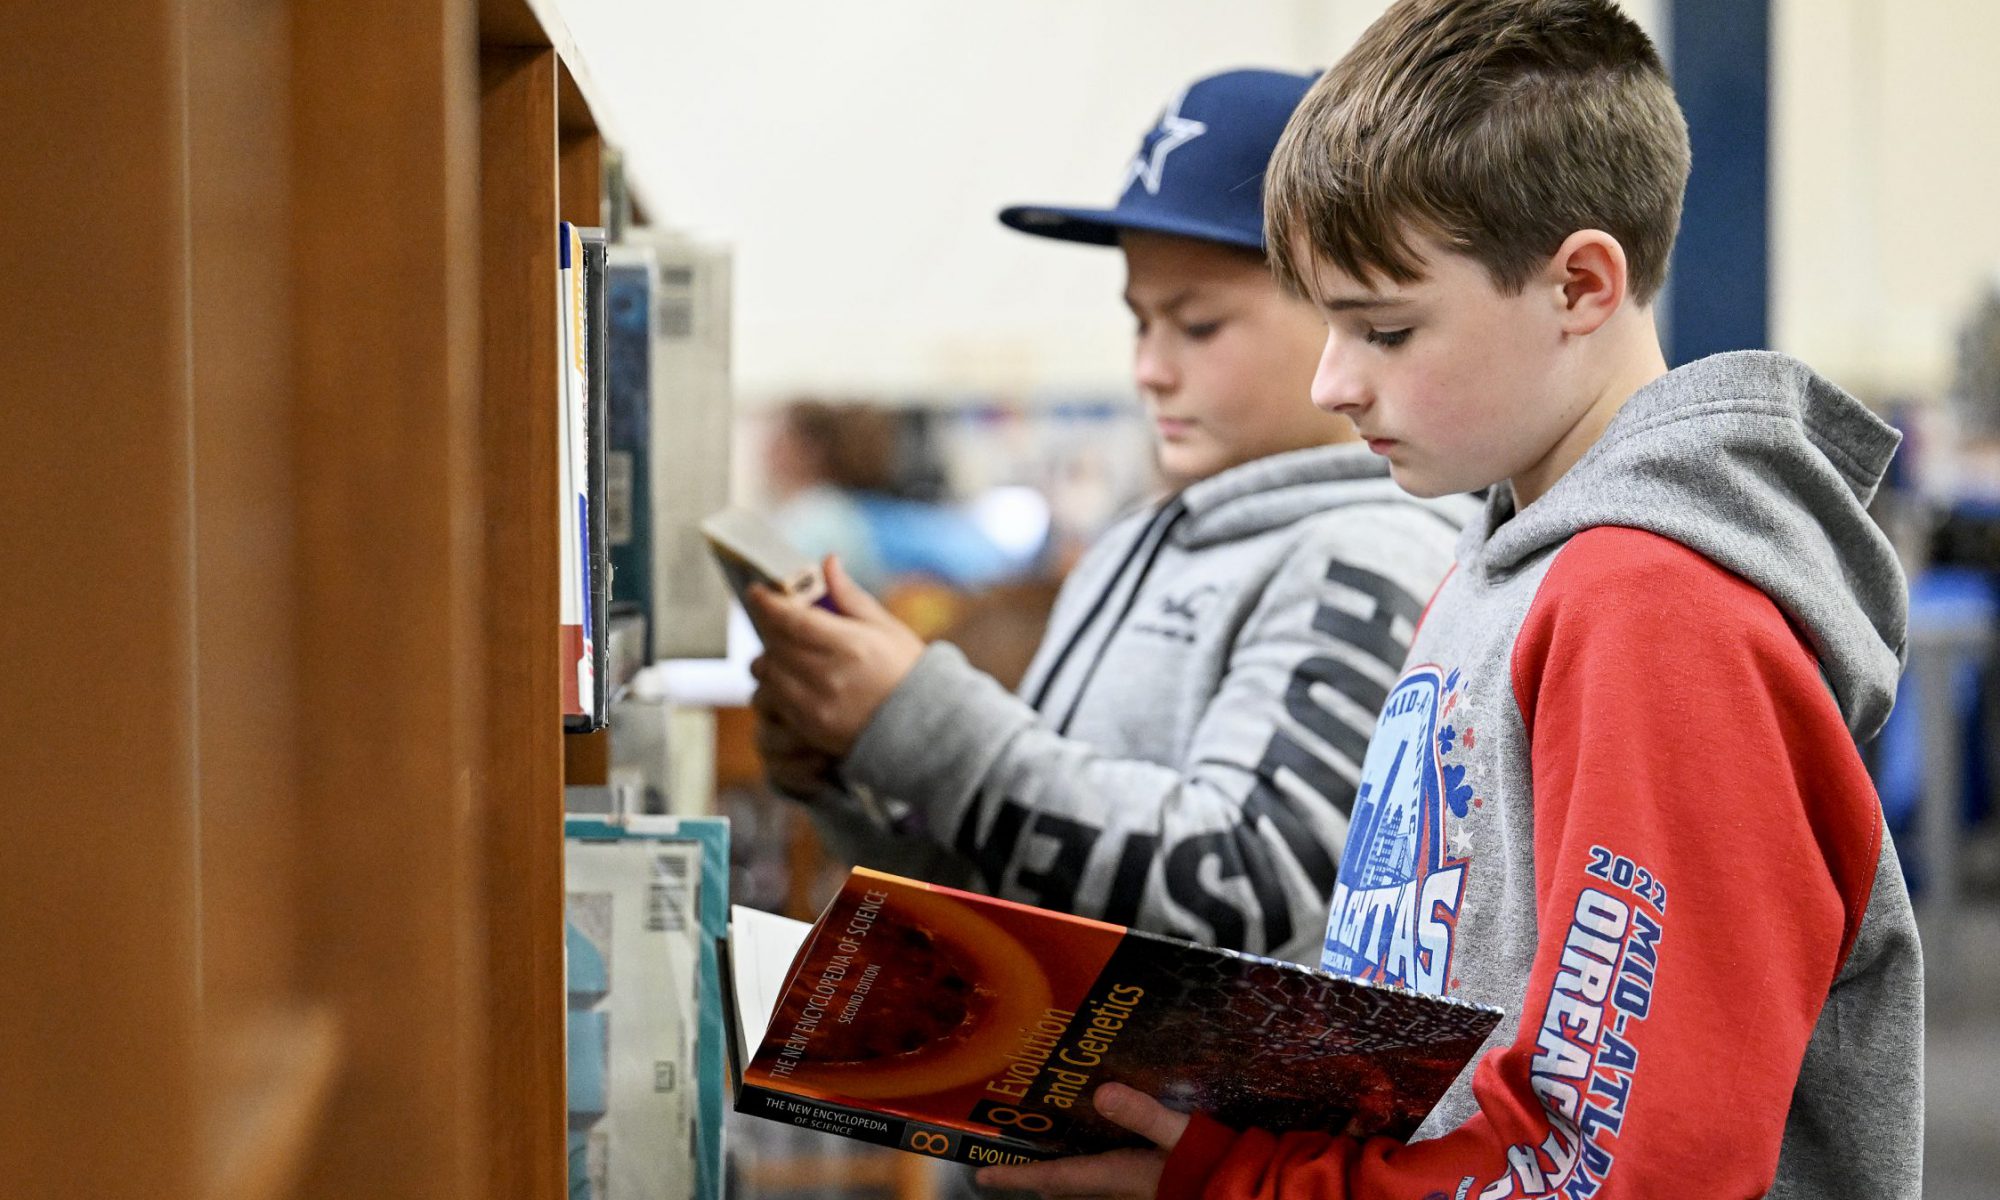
(1395, 911)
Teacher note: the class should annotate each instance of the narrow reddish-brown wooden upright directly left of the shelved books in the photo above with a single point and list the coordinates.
(527, 1127)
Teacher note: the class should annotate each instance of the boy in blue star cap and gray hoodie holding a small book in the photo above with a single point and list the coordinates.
(1185, 747)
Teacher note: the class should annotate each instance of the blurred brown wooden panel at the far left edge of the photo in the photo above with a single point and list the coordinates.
(97, 629)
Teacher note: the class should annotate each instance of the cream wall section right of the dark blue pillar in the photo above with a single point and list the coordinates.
(1885, 183)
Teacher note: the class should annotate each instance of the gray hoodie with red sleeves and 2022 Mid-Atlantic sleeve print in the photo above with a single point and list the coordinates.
(1617, 793)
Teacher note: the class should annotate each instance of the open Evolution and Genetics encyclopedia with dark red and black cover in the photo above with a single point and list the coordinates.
(975, 1029)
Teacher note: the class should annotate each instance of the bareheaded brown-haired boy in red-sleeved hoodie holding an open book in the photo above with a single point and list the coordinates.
(1617, 787)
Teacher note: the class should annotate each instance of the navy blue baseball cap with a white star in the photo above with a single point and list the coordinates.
(1199, 173)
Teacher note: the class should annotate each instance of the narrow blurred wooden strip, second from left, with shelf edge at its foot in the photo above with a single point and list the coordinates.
(267, 1051)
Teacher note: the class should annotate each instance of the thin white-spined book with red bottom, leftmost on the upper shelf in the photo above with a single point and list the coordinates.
(573, 399)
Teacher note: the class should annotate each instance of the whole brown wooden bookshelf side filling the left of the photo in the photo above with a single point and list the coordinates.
(279, 577)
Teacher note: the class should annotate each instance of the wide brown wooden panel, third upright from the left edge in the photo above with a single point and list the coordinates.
(389, 613)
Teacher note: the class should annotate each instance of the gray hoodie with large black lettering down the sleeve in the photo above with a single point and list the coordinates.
(1185, 749)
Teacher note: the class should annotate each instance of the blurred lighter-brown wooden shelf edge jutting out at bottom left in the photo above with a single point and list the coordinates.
(277, 1077)
